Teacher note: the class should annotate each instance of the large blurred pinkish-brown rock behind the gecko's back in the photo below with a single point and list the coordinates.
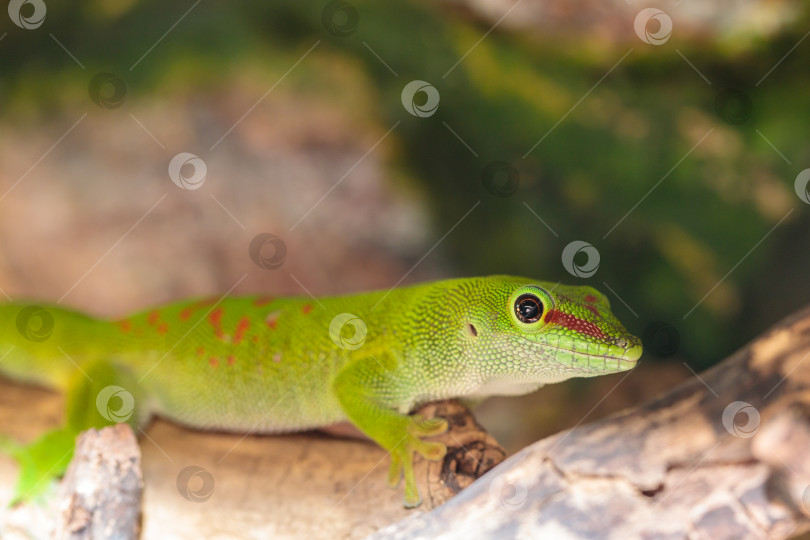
(75, 222)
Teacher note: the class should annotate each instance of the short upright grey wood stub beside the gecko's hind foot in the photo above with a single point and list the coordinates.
(100, 496)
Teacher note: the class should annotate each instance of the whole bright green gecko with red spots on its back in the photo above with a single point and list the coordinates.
(260, 364)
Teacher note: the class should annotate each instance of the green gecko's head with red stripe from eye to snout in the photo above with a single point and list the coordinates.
(556, 332)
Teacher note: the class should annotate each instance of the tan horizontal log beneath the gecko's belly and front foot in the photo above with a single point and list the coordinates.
(305, 485)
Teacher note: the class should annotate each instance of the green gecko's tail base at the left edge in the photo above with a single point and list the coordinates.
(45, 344)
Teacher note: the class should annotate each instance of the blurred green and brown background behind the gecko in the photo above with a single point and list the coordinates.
(668, 139)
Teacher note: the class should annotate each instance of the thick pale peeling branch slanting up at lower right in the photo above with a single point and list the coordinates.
(724, 456)
